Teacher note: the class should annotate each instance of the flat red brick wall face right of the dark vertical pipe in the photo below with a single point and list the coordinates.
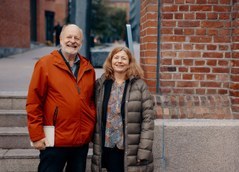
(195, 47)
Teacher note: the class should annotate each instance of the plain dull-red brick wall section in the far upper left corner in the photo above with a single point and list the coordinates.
(15, 23)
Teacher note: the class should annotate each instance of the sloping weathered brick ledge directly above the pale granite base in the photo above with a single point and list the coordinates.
(193, 106)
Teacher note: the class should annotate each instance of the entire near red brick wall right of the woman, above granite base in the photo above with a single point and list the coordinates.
(198, 78)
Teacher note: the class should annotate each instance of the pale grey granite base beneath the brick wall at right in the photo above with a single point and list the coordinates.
(196, 145)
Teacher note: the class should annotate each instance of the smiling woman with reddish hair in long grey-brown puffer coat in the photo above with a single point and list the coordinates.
(124, 131)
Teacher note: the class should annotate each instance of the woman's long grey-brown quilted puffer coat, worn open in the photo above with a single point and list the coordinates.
(138, 129)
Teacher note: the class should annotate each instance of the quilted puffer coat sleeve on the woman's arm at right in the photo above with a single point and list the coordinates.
(147, 126)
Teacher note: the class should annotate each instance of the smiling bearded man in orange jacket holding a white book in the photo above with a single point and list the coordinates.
(61, 95)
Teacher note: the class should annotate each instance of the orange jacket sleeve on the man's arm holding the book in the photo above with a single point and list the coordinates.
(36, 94)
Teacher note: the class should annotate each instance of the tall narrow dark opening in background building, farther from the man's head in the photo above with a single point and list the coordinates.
(33, 17)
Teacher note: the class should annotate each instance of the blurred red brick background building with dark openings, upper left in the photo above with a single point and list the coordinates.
(29, 21)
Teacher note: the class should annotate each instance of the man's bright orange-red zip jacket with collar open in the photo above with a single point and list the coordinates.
(56, 97)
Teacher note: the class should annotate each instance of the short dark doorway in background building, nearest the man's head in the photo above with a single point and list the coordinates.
(49, 23)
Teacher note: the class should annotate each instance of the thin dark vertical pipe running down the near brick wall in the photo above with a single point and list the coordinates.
(158, 51)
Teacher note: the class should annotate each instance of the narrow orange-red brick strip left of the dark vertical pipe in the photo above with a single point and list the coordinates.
(148, 40)
